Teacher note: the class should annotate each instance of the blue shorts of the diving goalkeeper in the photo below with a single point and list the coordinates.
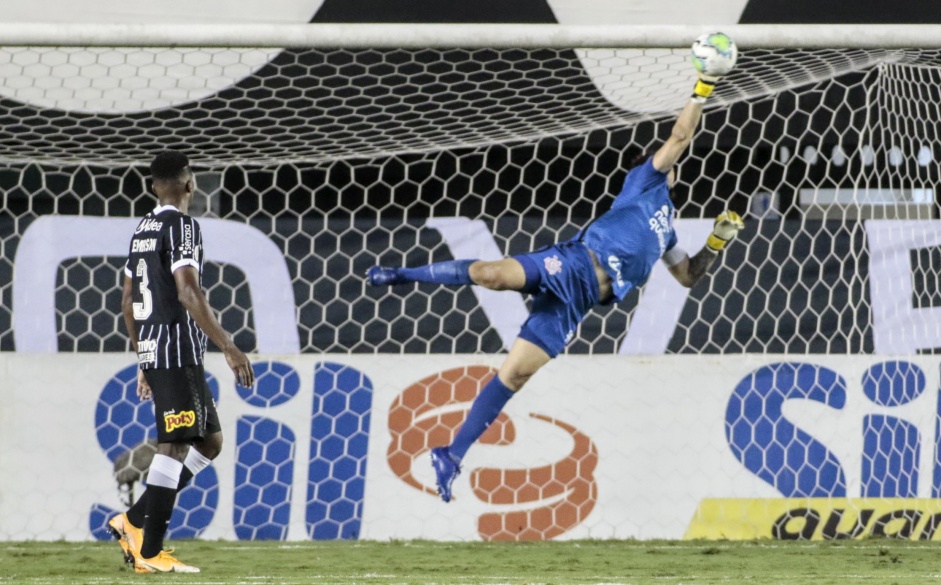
(564, 287)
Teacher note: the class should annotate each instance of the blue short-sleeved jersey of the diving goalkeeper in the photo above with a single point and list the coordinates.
(629, 238)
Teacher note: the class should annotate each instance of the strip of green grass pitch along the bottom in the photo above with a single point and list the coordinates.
(883, 562)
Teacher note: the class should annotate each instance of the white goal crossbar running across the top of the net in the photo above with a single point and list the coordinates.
(411, 36)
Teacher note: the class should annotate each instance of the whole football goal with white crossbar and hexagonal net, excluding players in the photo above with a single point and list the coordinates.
(766, 401)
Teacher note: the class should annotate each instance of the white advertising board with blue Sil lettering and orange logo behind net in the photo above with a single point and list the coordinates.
(335, 446)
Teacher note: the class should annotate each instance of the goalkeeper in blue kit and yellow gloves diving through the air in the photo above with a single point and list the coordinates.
(614, 254)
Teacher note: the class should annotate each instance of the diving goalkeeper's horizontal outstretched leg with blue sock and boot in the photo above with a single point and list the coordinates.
(505, 274)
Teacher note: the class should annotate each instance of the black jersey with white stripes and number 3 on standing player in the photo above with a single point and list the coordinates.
(167, 337)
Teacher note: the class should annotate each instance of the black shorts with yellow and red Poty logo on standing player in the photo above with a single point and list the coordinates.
(183, 404)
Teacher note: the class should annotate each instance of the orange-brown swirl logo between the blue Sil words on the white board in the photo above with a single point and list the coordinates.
(565, 491)
